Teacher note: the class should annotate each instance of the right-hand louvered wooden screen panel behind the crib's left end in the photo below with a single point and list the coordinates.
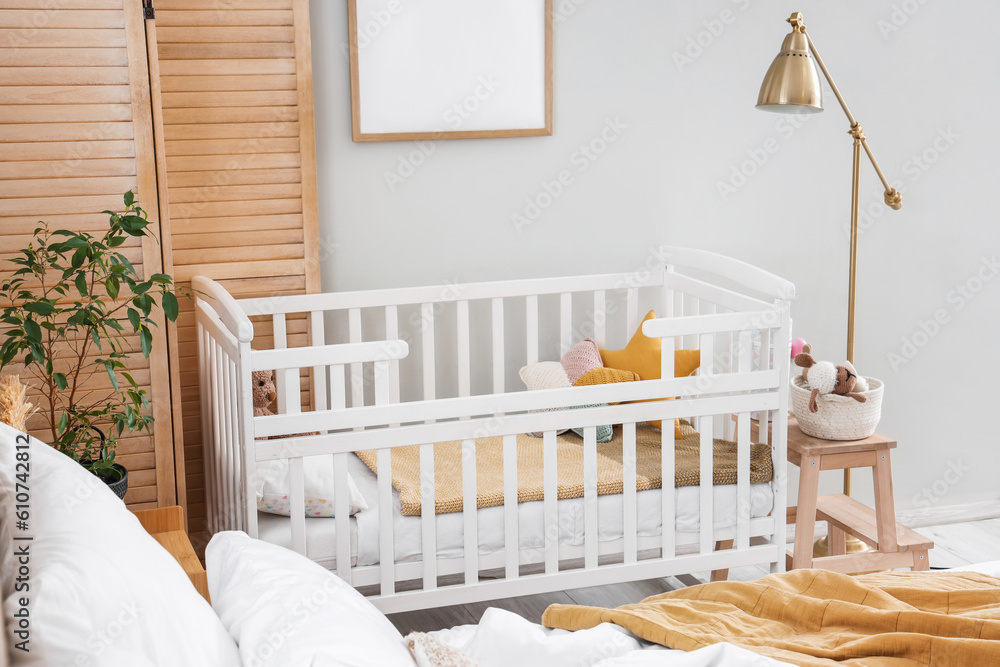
(237, 174)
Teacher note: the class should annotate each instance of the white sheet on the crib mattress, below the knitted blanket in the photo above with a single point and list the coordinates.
(407, 536)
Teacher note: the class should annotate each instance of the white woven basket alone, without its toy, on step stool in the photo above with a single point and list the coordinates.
(839, 417)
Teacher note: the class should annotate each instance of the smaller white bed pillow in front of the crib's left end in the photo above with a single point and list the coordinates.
(285, 610)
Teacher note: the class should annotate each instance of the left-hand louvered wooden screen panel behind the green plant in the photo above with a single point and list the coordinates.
(75, 134)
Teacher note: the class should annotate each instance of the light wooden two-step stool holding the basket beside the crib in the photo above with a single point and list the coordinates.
(894, 545)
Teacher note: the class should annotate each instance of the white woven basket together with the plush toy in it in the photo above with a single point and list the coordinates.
(834, 402)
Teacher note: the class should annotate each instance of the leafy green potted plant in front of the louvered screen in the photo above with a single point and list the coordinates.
(75, 301)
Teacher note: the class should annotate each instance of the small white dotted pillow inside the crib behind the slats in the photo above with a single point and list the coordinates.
(274, 484)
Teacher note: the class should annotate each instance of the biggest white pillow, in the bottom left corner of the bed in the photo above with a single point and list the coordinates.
(99, 590)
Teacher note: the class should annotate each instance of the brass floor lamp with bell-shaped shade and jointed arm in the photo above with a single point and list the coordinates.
(792, 85)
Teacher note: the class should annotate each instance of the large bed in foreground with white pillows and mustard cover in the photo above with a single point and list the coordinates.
(273, 607)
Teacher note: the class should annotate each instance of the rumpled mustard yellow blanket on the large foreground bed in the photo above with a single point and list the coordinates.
(815, 617)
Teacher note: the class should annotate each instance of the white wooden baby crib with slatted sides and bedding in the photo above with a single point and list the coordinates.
(382, 371)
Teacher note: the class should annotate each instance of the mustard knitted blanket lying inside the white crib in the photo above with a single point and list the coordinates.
(530, 475)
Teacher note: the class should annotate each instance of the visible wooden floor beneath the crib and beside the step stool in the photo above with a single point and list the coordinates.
(955, 544)
